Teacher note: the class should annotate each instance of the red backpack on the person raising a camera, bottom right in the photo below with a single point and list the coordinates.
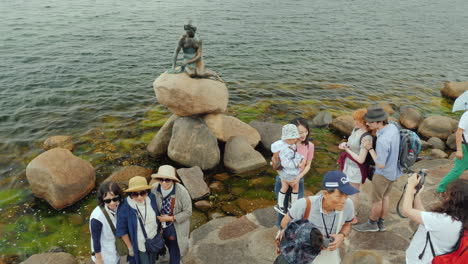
(458, 256)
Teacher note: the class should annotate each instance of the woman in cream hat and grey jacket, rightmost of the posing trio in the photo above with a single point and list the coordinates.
(176, 208)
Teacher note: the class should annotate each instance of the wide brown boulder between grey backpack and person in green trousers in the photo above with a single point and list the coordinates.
(437, 126)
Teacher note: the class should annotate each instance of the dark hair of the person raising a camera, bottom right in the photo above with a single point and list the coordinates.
(456, 203)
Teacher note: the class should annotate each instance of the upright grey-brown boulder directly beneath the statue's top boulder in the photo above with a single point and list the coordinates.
(193, 144)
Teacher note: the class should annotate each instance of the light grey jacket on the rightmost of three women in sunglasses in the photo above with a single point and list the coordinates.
(182, 214)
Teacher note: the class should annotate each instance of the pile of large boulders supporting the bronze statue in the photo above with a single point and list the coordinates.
(191, 136)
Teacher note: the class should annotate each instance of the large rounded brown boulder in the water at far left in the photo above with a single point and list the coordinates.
(60, 178)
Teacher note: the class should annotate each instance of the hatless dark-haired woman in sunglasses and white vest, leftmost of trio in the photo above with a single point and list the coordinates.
(109, 196)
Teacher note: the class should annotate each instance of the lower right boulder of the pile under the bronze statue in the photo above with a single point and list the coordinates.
(240, 157)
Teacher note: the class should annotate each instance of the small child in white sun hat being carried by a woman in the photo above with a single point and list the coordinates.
(291, 162)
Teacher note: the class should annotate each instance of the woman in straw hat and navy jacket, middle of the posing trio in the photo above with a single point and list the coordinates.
(137, 212)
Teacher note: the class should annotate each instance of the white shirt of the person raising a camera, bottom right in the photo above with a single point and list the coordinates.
(444, 234)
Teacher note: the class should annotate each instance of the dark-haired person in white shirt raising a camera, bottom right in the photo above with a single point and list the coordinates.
(440, 228)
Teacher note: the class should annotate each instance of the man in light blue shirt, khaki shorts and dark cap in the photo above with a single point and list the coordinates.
(387, 168)
